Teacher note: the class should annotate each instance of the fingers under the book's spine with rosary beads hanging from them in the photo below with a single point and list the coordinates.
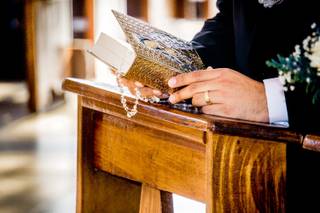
(145, 91)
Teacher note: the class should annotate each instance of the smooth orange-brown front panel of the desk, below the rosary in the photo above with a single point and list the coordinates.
(160, 159)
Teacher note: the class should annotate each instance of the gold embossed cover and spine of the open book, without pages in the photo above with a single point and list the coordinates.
(160, 55)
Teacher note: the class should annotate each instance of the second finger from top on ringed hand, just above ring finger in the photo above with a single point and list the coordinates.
(192, 89)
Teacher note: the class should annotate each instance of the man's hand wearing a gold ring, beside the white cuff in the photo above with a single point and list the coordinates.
(231, 93)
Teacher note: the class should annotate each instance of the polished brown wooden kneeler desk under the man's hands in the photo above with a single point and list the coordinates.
(133, 165)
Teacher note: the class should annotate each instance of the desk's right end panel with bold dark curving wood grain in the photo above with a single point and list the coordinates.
(245, 175)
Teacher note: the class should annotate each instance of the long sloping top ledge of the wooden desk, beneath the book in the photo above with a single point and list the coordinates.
(109, 95)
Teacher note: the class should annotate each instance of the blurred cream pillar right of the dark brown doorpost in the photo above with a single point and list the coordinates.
(54, 36)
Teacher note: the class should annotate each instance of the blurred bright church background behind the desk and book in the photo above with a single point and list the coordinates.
(45, 41)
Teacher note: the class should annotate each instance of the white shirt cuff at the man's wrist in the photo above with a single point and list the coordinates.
(277, 107)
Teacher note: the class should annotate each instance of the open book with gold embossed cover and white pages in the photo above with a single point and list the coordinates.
(151, 56)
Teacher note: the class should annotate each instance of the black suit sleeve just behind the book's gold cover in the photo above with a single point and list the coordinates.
(215, 42)
